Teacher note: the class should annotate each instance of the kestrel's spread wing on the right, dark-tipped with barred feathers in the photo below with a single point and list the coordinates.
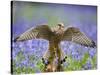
(73, 34)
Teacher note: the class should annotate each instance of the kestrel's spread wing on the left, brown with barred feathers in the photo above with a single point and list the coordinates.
(42, 31)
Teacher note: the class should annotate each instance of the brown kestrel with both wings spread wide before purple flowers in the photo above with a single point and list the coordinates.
(55, 36)
